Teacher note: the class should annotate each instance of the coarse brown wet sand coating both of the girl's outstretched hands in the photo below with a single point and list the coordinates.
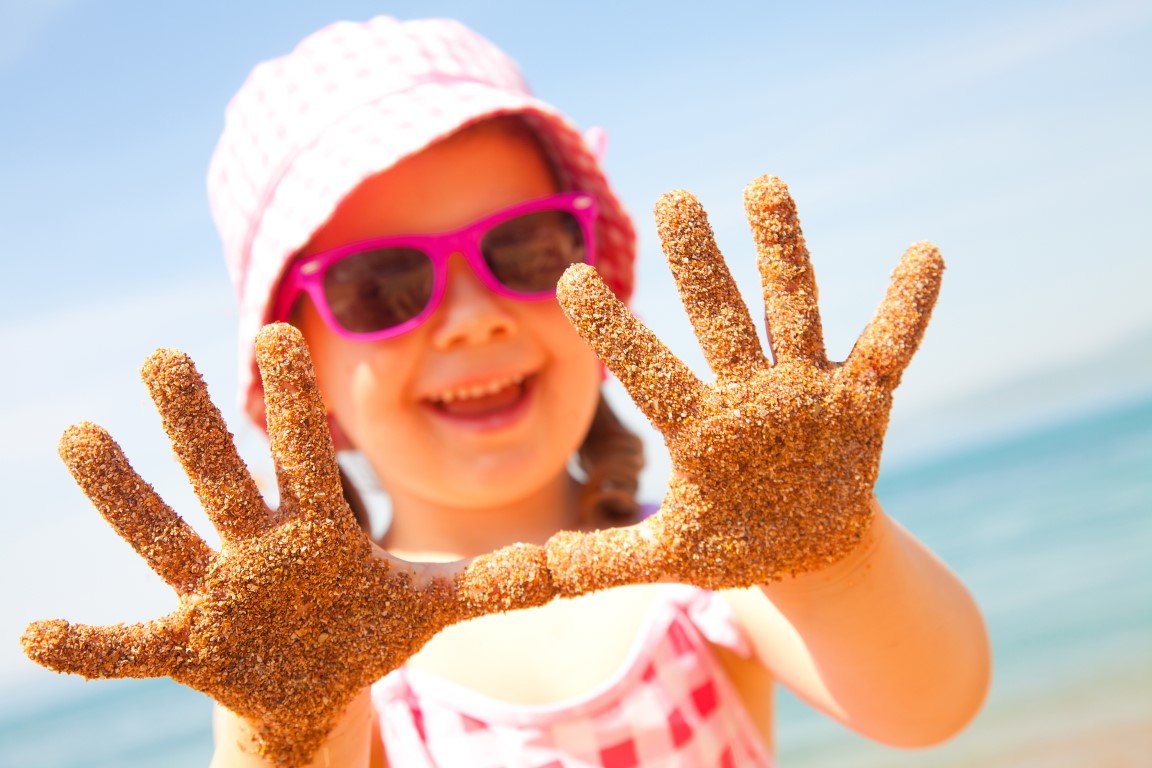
(774, 474)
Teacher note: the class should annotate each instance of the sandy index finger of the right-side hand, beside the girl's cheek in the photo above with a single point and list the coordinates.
(663, 387)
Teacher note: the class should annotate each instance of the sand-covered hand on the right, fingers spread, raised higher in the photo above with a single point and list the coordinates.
(774, 465)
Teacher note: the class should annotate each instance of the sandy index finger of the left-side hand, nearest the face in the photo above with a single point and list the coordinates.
(298, 425)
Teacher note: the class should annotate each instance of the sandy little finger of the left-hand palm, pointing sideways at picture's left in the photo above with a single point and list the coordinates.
(149, 650)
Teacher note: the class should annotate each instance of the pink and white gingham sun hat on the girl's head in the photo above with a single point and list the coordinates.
(350, 102)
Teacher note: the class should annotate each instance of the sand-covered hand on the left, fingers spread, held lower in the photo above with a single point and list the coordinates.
(299, 611)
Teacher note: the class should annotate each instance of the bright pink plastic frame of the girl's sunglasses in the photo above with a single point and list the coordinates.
(307, 275)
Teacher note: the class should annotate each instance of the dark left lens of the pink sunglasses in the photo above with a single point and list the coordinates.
(378, 290)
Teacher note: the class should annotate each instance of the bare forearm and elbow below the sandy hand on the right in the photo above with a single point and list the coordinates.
(888, 641)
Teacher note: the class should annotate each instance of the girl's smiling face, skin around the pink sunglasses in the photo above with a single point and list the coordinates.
(487, 401)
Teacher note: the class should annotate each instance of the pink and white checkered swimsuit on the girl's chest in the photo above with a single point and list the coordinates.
(671, 705)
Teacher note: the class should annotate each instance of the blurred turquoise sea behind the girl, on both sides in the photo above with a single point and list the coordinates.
(1051, 528)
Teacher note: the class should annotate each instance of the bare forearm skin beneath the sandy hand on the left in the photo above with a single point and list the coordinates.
(348, 744)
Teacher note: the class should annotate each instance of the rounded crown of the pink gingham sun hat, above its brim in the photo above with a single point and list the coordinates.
(289, 102)
